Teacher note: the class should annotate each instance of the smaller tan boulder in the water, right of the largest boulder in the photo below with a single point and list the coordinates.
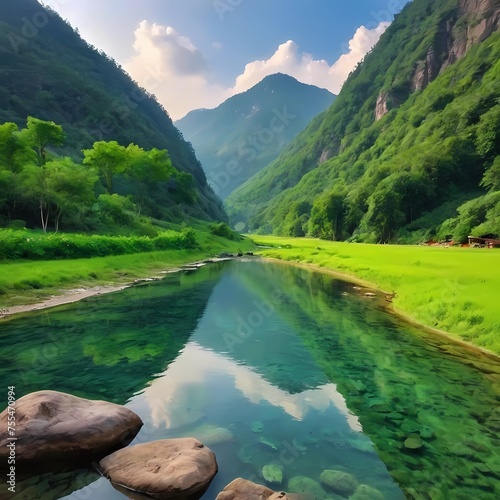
(170, 468)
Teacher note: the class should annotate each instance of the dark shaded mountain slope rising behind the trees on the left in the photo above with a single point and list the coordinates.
(48, 71)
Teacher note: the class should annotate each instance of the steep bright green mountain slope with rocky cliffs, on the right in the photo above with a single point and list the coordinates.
(407, 141)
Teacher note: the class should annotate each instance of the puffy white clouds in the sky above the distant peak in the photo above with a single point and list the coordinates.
(171, 67)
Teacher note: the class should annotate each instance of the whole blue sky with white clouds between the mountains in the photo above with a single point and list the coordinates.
(196, 53)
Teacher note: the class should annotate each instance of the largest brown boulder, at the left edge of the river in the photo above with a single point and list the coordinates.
(53, 426)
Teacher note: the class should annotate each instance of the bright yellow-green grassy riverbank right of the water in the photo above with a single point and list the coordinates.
(452, 289)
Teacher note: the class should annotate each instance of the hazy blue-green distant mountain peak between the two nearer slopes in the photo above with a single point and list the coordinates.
(245, 133)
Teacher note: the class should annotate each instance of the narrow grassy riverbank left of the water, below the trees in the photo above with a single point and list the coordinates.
(32, 281)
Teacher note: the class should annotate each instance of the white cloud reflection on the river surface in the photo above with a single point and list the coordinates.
(181, 396)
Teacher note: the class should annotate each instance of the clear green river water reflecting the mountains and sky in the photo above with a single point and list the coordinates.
(269, 364)
